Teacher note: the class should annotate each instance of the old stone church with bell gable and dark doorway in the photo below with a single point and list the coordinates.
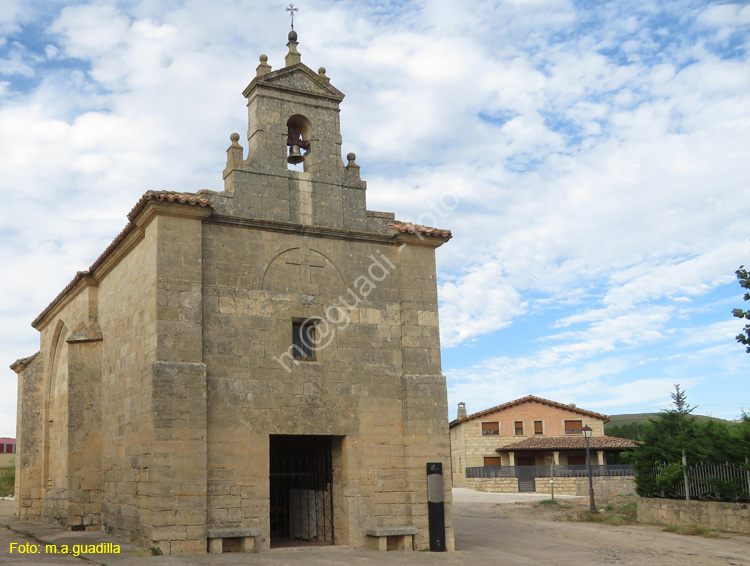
(250, 367)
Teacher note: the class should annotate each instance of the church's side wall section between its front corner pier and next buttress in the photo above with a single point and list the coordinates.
(127, 316)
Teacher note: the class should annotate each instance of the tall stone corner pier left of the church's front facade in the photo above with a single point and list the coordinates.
(173, 514)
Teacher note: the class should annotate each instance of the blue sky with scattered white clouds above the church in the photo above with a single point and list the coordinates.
(591, 159)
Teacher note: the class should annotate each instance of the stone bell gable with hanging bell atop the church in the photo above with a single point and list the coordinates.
(293, 117)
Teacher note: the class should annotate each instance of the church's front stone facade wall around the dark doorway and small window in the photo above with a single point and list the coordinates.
(390, 423)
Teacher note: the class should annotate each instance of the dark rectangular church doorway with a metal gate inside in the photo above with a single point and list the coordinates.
(301, 476)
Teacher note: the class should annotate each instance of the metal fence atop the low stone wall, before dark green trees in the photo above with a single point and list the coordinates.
(719, 482)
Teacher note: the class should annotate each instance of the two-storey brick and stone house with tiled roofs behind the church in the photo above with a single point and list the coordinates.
(530, 431)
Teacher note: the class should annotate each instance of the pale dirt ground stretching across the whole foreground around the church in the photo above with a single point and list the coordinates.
(516, 531)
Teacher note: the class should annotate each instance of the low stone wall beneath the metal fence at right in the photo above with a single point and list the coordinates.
(717, 515)
